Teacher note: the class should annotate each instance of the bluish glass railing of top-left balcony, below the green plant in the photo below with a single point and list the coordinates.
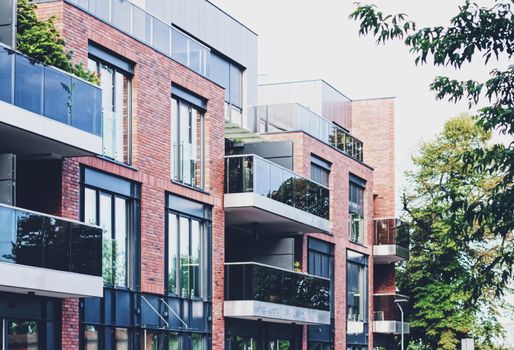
(50, 92)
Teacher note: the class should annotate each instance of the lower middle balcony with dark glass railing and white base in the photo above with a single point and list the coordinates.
(260, 292)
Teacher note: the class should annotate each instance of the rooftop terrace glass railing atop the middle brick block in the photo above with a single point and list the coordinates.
(295, 117)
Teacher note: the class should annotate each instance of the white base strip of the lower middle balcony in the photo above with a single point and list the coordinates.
(271, 312)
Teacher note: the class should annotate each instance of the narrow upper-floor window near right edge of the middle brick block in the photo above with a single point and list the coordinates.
(356, 210)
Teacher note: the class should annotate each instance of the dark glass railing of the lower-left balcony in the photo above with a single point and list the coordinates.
(40, 240)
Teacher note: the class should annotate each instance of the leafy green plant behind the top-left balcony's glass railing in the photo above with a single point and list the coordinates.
(40, 40)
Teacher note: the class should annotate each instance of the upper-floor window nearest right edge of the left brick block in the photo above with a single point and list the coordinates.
(187, 143)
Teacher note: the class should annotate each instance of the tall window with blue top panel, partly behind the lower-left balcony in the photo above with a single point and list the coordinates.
(114, 212)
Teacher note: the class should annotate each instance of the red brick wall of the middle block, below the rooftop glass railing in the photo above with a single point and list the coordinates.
(342, 166)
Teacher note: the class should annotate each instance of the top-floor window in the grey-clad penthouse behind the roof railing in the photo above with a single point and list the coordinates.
(230, 77)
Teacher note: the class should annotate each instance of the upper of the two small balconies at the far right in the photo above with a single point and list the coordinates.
(391, 241)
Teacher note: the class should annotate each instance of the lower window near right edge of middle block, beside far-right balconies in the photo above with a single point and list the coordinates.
(356, 287)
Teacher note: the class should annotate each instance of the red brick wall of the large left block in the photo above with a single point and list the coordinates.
(151, 152)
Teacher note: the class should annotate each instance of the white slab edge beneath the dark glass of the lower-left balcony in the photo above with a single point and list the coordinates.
(24, 279)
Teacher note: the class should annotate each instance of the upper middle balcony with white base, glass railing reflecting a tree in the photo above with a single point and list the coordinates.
(262, 193)
